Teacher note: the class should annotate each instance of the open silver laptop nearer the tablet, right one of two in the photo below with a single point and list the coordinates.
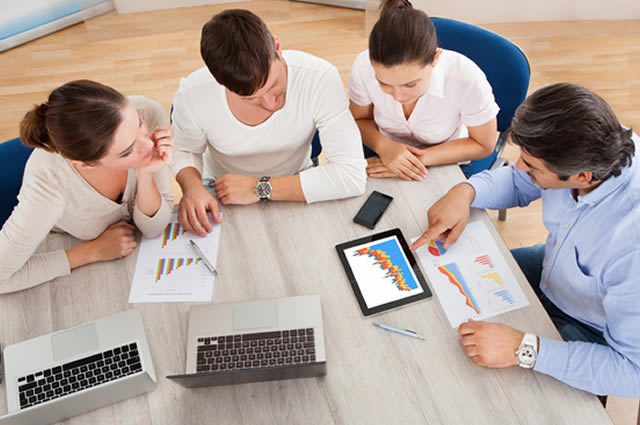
(268, 340)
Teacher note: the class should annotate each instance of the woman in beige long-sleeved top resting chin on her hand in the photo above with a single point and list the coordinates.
(97, 174)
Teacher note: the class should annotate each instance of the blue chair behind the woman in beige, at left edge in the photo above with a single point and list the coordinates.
(13, 157)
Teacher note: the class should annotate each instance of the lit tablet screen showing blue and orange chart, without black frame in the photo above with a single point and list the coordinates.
(382, 271)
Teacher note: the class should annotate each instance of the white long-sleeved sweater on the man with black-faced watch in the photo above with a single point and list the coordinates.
(281, 146)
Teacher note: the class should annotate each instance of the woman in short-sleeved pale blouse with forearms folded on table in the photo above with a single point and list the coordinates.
(409, 97)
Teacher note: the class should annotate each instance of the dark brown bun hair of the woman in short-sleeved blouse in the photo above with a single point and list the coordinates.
(402, 35)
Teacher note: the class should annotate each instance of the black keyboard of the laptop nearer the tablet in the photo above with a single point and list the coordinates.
(256, 350)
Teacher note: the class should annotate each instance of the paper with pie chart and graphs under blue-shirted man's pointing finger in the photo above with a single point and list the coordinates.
(471, 278)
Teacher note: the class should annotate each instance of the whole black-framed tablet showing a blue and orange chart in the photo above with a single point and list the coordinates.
(383, 272)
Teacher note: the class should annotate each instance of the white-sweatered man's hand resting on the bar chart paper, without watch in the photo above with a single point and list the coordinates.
(192, 213)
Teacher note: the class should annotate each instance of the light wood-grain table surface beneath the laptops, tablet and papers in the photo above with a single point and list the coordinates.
(373, 377)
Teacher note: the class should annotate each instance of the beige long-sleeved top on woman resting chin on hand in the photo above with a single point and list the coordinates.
(54, 197)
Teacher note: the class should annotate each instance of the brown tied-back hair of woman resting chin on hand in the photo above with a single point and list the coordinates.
(78, 121)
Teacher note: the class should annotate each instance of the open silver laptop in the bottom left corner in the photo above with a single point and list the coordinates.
(70, 372)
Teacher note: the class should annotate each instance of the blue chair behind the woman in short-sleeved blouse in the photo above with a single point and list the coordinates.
(506, 68)
